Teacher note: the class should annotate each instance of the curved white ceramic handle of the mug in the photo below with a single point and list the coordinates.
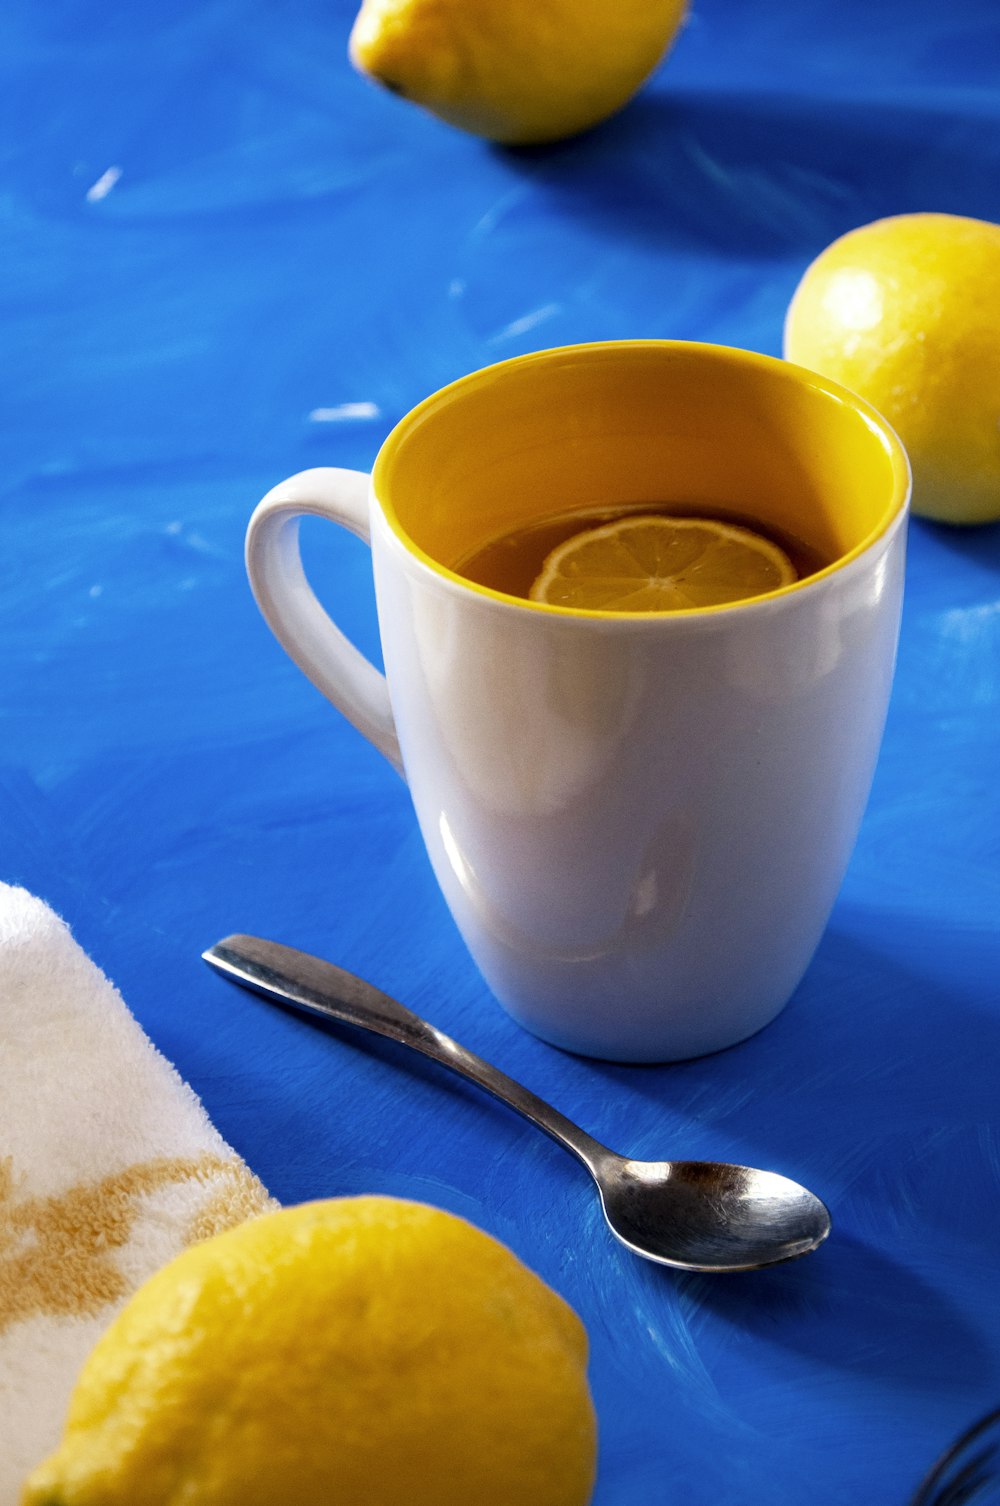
(290, 605)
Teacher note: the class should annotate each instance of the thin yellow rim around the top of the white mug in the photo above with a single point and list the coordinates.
(892, 516)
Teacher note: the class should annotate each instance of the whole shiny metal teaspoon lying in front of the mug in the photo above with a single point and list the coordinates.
(697, 1216)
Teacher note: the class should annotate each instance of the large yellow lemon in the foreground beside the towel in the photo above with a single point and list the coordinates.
(362, 1352)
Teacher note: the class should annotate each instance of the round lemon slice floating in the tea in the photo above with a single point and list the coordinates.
(656, 564)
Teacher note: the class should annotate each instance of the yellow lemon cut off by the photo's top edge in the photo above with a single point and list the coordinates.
(516, 72)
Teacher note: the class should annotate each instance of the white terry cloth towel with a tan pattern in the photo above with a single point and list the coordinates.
(109, 1166)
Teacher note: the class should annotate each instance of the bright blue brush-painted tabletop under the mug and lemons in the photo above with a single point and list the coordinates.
(227, 258)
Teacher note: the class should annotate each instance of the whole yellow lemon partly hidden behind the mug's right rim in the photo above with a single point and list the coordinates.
(907, 314)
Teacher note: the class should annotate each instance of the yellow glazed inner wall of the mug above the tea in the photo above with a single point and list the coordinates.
(590, 427)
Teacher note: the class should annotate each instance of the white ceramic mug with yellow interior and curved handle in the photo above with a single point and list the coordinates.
(639, 822)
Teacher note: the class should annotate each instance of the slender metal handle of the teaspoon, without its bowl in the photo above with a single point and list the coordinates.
(306, 983)
